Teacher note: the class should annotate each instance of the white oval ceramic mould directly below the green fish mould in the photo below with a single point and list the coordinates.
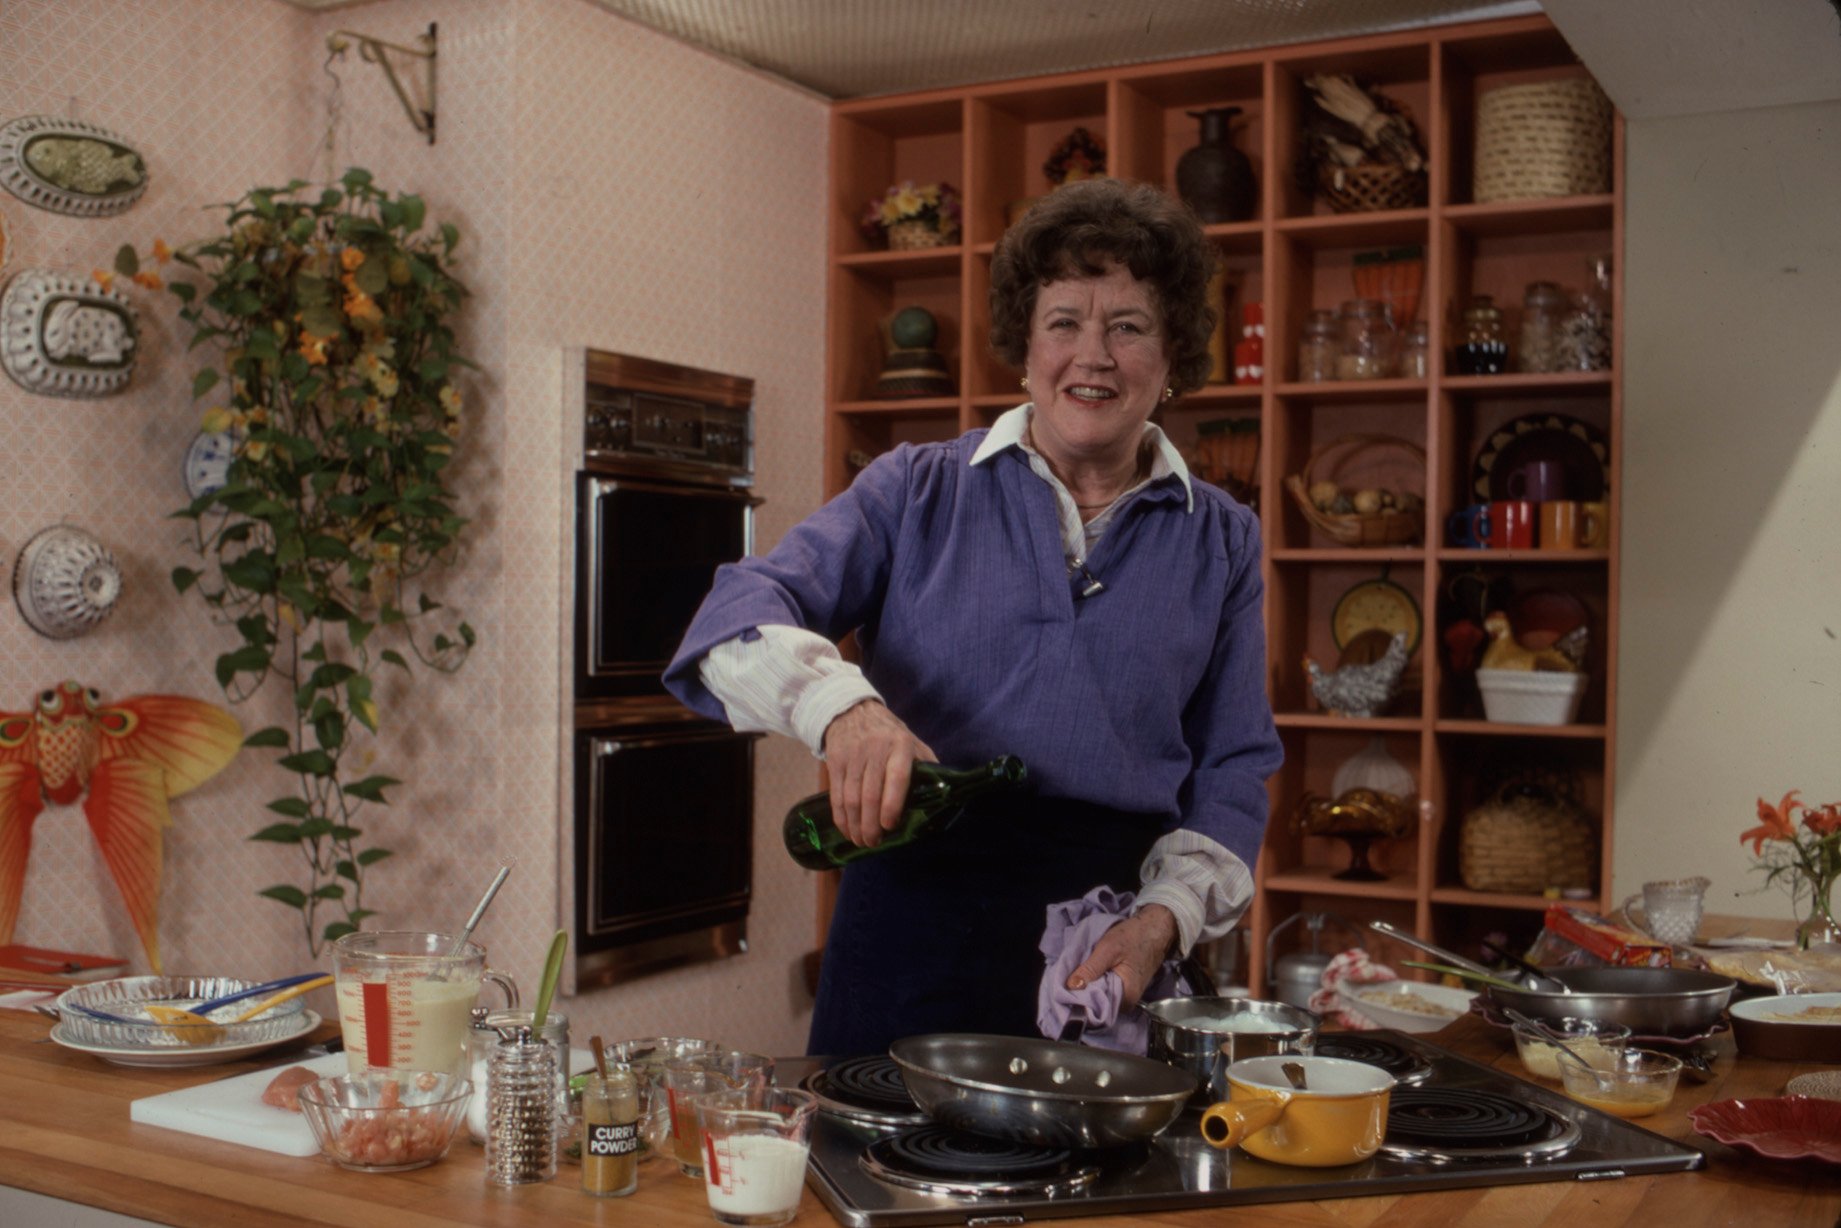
(67, 336)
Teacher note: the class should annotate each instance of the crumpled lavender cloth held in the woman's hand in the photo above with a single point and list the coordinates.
(1072, 931)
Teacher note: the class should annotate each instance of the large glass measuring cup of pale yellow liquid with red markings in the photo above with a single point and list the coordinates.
(406, 1002)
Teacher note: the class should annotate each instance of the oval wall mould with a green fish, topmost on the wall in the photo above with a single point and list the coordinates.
(71, 167)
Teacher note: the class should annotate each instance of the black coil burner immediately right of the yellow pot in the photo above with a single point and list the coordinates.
(1444, 1126)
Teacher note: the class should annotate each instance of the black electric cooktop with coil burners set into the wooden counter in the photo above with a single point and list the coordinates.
(1452, 1124)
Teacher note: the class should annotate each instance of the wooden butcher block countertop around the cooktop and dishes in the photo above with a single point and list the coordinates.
(65, 1133)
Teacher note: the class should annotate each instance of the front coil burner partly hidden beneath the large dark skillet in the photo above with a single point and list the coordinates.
(951, 1163)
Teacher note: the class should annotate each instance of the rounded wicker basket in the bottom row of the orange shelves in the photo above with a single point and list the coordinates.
(1525, 839)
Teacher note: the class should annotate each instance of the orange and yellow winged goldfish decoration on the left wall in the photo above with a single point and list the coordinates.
(130, 758)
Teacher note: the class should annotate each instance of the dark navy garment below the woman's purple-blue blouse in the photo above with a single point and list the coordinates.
(944, 936)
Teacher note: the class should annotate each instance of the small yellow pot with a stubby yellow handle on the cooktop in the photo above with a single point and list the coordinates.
(1337, 1118)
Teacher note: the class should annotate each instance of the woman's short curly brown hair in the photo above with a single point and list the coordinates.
(1074, 233)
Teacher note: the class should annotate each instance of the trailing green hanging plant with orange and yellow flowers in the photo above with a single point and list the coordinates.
(330, 312)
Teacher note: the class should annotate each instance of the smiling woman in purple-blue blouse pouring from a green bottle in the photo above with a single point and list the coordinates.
(1052, 588)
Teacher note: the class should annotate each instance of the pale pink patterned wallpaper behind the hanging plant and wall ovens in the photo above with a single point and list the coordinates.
(616, 191)
